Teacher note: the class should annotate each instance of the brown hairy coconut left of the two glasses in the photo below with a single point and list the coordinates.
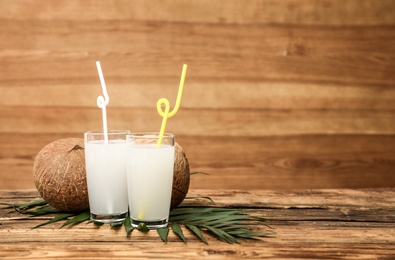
(59, 174)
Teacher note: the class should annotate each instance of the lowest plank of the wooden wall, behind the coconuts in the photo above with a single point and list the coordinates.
(272, 162)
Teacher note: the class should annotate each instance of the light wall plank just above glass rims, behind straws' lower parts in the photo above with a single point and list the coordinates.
(198, 122)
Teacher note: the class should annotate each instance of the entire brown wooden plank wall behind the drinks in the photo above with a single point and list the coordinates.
(279, 94)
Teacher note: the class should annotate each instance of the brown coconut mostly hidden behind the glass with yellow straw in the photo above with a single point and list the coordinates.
(181, 178)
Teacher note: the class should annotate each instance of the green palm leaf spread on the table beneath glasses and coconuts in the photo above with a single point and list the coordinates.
(226, 224)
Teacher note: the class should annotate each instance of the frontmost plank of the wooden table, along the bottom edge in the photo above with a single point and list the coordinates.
(141, 250)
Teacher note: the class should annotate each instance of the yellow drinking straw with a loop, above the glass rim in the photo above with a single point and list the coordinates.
(166, 114)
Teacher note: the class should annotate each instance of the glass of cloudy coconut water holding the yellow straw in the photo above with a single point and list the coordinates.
(150, 167)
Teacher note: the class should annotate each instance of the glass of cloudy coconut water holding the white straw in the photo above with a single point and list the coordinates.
(105, 160)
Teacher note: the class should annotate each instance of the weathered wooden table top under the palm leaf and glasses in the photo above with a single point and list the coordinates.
(327, 224)
